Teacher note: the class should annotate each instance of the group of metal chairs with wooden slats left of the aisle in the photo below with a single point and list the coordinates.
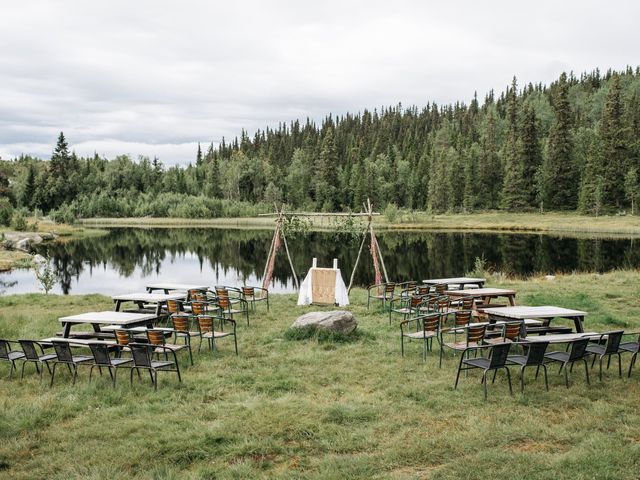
(207, 316)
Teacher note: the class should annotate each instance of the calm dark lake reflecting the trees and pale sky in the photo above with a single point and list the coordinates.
(129, 258)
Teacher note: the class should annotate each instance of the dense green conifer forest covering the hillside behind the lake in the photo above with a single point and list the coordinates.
(574, 144)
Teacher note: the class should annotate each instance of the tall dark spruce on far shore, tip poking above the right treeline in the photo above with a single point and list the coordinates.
(562, 189)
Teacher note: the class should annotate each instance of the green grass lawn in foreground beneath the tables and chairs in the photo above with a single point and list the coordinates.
(322, 409)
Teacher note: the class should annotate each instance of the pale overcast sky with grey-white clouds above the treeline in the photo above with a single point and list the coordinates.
(156, 77)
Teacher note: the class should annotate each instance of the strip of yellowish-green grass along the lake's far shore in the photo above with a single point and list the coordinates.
(568, 223)
